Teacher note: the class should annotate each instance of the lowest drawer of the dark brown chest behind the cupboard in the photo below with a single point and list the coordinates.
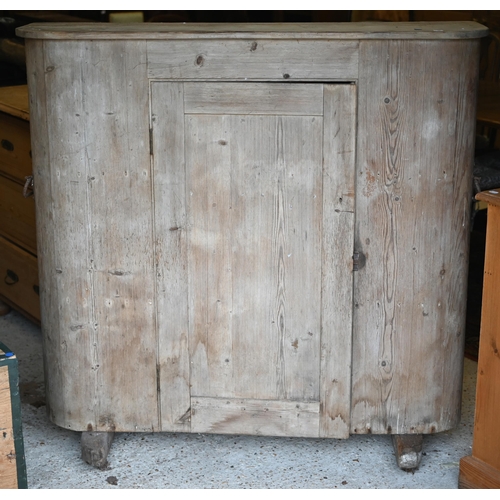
(19, 278)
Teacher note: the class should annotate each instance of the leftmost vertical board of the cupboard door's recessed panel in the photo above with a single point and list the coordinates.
(208, 169)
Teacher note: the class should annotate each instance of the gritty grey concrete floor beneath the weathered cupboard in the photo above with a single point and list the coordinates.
(210, 461)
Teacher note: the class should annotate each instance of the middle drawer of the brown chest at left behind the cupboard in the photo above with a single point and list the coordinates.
(17, 215)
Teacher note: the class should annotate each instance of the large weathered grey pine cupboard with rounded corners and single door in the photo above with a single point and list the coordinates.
(257, 229)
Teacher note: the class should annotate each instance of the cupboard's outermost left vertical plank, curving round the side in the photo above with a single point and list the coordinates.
(60, 171)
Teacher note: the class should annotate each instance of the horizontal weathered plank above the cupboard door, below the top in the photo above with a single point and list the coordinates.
(253, 60)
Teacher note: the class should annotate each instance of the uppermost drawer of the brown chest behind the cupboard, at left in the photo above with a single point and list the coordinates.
(15, 147)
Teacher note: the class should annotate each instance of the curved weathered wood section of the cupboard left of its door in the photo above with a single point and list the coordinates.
(98, 264)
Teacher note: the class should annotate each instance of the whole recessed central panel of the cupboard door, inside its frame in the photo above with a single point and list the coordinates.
(254, 187)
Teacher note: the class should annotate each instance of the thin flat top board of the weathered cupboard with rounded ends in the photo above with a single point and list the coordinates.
(159, 31)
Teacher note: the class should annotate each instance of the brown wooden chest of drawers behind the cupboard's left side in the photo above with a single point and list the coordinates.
(18, 261)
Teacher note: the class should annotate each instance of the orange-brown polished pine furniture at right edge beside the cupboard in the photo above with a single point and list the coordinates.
(482, 468)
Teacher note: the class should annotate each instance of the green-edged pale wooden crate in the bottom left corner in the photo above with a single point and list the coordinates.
(12, 460)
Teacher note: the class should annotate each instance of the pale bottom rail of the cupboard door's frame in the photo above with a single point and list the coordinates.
(255, 416)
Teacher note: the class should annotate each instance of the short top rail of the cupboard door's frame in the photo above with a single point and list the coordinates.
(253, 98)
